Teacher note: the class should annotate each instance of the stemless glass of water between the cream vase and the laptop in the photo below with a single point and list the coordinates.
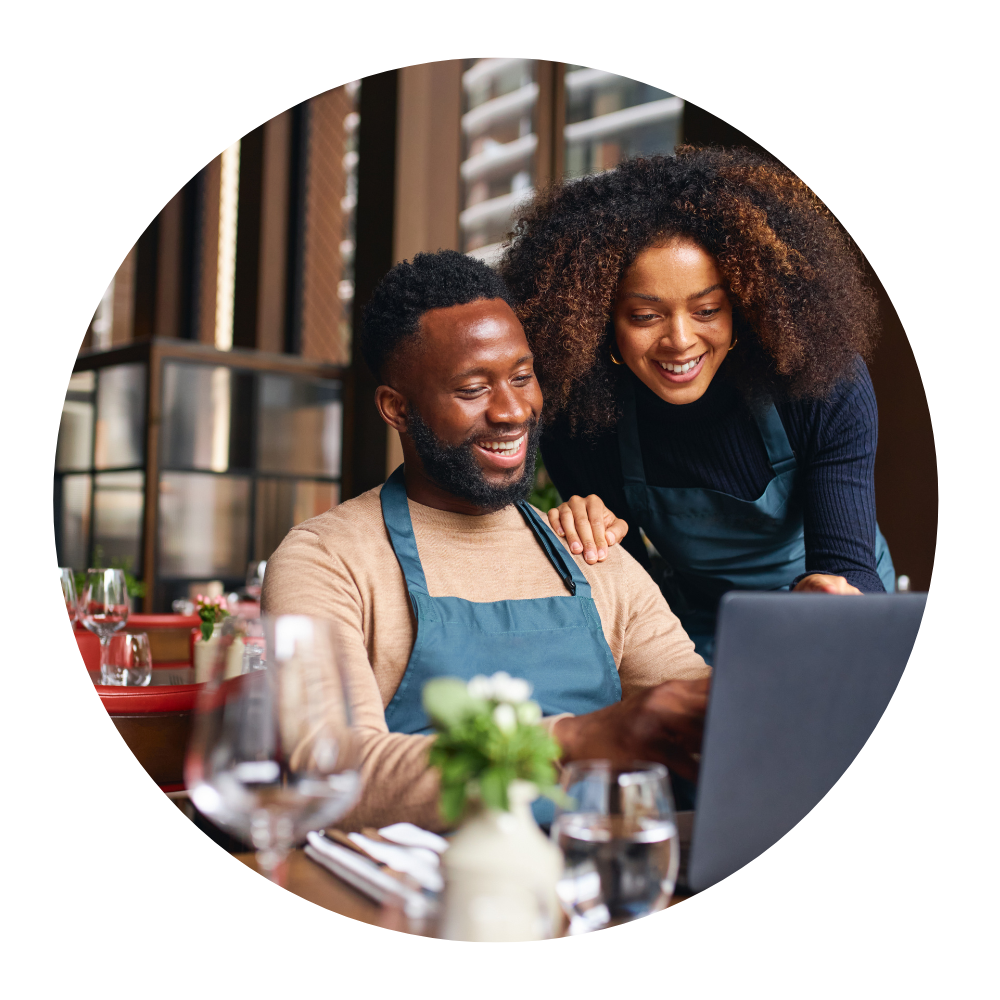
(619, 840)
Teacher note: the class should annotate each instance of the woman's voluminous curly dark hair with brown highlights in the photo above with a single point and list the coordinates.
(802, 309)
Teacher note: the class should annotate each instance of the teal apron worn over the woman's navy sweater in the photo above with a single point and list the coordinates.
(710, 542)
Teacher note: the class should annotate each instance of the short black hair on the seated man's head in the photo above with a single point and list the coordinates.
(412, 288)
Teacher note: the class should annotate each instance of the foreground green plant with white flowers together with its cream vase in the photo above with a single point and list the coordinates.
(494, 760)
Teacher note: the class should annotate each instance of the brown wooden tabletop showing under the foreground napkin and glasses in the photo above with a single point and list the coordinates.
(313, 882)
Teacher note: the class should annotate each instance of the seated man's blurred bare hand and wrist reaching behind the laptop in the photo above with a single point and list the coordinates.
(662, 724)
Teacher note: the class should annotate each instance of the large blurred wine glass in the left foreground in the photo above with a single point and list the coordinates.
(273, 754)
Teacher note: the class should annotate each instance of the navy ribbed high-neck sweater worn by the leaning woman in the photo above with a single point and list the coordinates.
(714, 444)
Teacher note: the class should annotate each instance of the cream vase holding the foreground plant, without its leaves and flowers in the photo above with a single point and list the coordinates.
(500, 876)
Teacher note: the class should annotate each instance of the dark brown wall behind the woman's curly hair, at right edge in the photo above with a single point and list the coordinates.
(905, 464)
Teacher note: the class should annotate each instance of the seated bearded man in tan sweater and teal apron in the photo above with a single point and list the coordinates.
(445, 570)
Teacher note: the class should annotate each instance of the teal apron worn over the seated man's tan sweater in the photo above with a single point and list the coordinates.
(555, 643)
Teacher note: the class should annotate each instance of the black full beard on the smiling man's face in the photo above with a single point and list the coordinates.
(455, 469)
